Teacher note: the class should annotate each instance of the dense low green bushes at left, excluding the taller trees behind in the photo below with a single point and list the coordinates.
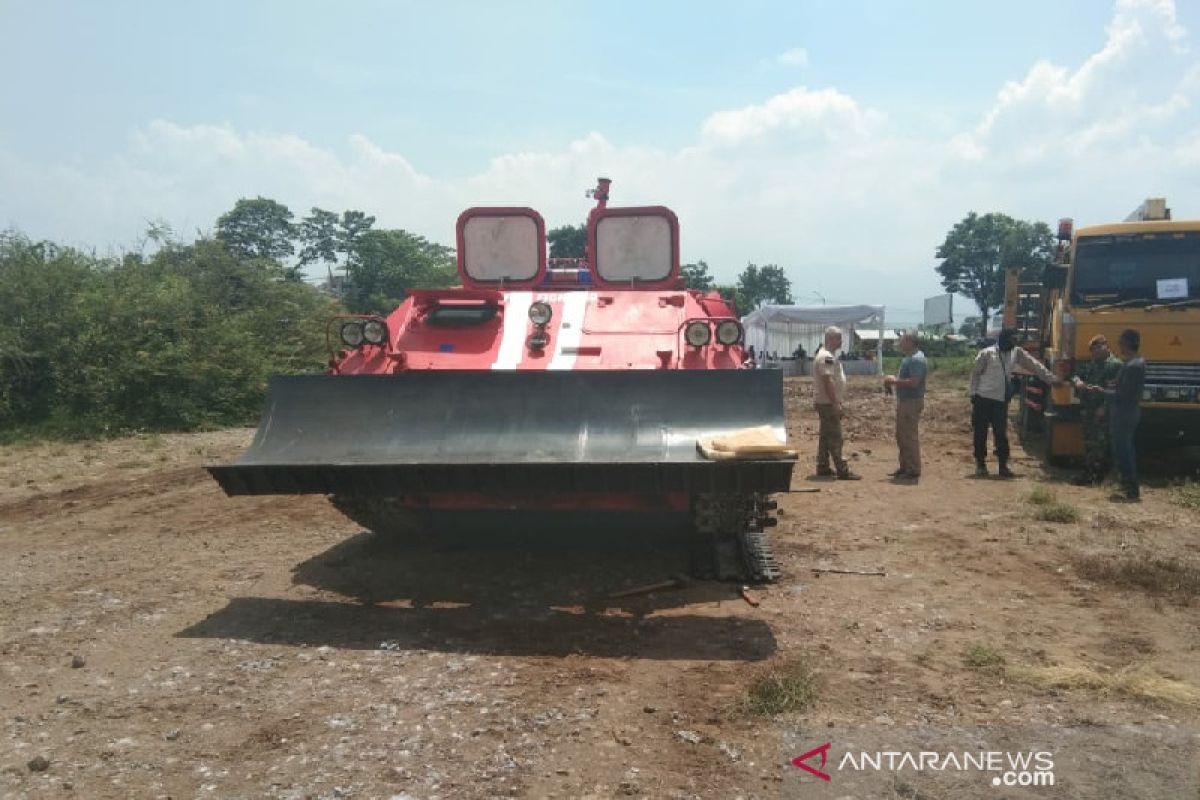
(178, 341)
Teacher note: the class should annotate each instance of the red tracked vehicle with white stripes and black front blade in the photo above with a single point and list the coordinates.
(537, 388)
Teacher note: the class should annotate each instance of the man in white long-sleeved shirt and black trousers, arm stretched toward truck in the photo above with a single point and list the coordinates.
(991, 381)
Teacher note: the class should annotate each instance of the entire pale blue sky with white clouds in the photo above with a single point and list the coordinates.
(841, 141)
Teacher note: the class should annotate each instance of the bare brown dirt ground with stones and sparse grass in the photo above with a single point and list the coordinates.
(160, 640)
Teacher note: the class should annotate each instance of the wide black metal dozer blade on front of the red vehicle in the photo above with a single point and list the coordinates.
(555, 432)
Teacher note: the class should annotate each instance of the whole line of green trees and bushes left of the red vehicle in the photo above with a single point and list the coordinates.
(187, 336)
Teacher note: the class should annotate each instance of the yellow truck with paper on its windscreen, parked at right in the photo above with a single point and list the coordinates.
(1144, 274)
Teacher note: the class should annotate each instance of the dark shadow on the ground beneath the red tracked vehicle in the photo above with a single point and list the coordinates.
(531, 592)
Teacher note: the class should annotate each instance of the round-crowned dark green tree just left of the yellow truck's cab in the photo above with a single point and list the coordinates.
(980, 249)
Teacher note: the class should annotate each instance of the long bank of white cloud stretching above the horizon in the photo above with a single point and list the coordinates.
(841, 195)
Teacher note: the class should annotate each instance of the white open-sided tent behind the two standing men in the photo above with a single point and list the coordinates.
(783, 329)
